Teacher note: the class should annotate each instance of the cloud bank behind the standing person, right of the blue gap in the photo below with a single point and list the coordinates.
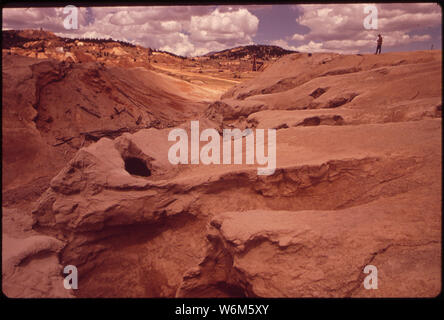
(340, 28)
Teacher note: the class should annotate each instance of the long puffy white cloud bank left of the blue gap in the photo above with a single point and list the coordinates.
(183, 30)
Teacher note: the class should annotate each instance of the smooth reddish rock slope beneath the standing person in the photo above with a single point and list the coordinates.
(375, 89)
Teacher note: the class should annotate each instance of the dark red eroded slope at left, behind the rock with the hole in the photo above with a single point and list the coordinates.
(51, 109)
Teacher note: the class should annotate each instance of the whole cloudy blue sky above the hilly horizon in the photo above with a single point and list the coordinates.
(196, 30)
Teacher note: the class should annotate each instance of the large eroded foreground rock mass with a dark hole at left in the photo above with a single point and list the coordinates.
(110, 218)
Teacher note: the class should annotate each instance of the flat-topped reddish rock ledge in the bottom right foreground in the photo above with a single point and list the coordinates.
(301, 254)
